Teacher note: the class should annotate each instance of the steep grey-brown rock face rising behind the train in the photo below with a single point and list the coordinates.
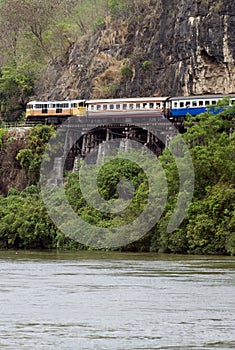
(165, 47)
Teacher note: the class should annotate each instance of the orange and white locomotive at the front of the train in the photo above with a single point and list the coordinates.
(54, 112)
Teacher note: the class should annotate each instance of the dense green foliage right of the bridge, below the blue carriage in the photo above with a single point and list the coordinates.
(208, 227)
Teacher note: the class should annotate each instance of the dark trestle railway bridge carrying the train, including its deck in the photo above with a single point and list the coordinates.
(91, 134)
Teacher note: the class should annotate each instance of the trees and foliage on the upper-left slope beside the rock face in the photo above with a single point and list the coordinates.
(34, 33)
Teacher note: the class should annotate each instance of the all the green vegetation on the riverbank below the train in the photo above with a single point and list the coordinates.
(208, 228)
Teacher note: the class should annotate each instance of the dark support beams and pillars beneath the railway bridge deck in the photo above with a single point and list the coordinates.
(94, 141)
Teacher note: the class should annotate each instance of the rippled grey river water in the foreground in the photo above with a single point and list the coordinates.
(76, 301)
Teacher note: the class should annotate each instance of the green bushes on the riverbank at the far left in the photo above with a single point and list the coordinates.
(24, 223)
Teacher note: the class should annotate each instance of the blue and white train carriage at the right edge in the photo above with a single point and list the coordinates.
(194, 105)
